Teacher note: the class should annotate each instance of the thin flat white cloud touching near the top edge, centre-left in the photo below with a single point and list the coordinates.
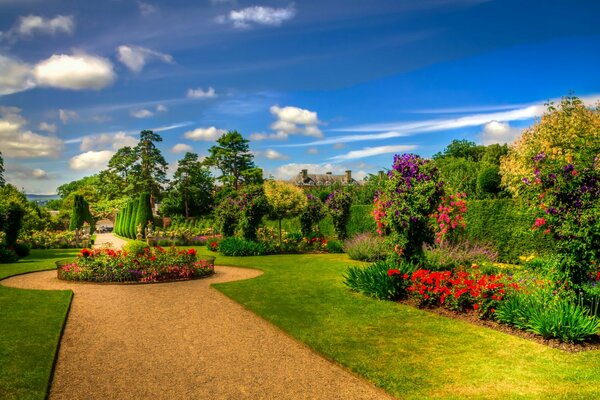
(258, 15)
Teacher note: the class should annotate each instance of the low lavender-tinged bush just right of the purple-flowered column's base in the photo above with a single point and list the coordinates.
(446, 256)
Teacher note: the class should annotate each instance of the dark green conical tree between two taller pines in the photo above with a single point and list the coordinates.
(192, 186)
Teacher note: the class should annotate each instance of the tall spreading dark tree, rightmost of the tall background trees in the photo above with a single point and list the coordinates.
(232, 156)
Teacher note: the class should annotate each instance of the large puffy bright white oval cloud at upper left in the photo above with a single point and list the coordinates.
(79, 71)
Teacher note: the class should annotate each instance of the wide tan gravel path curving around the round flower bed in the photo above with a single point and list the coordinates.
(182, 340)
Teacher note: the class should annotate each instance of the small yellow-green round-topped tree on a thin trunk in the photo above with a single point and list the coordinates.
(285, 201)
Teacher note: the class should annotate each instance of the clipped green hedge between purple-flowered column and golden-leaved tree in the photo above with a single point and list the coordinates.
(507, 226)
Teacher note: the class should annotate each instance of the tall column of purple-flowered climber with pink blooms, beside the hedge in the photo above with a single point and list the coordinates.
(404, 206)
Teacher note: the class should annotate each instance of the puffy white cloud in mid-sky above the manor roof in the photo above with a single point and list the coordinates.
(294, 120)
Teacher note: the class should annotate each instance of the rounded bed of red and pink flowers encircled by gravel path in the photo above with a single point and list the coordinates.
(150, 265)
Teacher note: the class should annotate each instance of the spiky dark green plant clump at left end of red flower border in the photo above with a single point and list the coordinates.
(375, 280)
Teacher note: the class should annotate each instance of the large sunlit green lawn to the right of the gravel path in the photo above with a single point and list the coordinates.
(408, 352)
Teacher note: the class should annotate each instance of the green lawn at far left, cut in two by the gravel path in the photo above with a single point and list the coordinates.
(30, 326)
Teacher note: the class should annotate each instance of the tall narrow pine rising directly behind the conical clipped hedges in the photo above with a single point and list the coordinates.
(151, 170)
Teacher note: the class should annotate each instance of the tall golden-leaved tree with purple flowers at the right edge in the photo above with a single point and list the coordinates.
(555, 166)
